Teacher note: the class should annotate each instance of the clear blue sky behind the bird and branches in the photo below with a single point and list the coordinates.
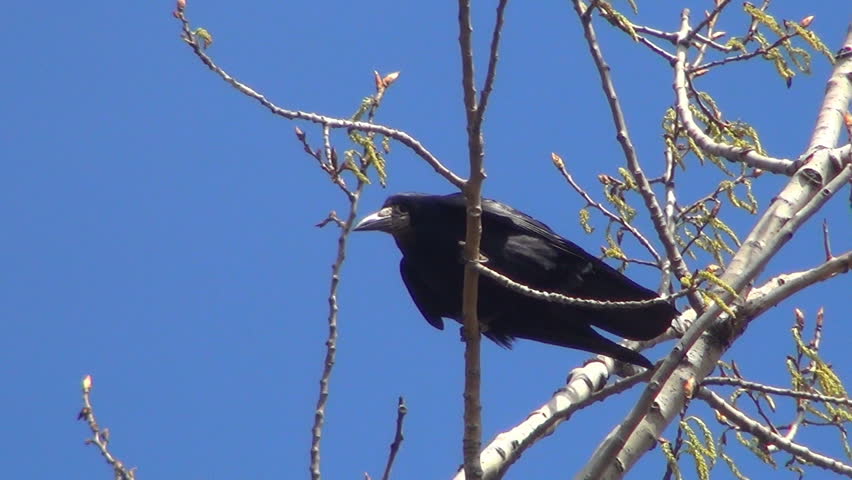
(159, 230)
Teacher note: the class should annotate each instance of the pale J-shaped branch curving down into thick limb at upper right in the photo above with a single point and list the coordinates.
(748, 156)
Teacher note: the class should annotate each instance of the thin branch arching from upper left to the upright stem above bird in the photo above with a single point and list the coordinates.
(330, 122)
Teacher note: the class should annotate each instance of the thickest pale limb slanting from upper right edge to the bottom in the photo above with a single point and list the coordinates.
(696, 354)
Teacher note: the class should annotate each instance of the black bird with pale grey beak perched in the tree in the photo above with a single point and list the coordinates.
(430, 230)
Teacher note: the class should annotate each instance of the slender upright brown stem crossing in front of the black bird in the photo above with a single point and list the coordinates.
(472, 188)
